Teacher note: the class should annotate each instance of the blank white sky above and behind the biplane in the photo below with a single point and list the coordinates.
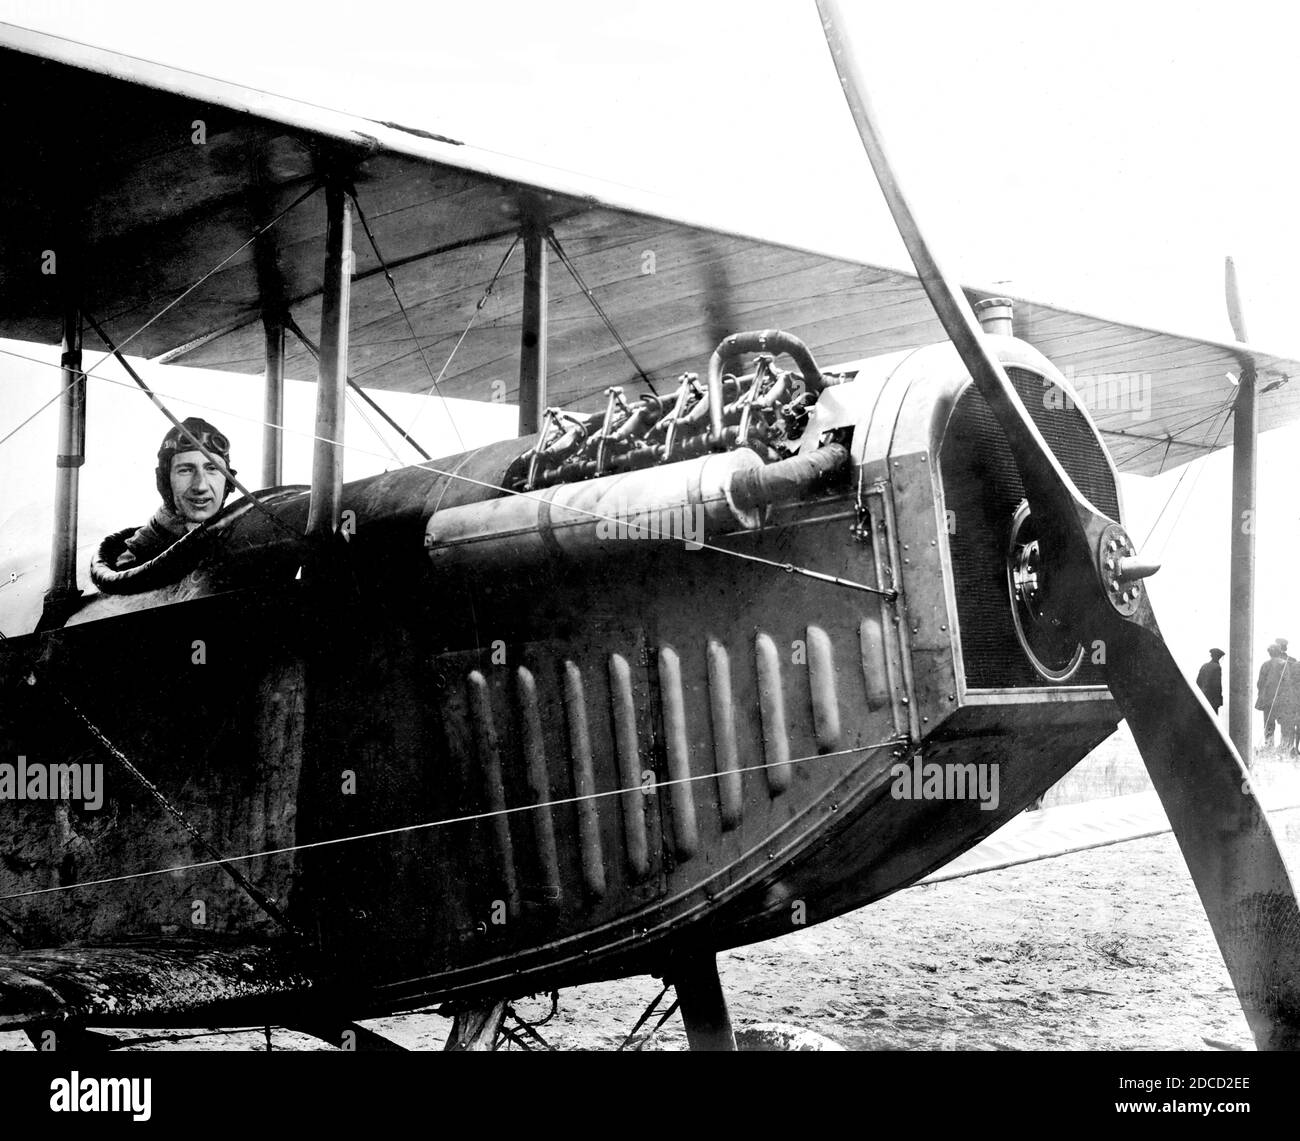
(1102, 157)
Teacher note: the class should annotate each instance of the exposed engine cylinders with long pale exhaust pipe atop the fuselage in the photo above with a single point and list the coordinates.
(709, 465)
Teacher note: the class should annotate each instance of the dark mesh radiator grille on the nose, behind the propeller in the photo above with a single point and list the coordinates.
(983, 489)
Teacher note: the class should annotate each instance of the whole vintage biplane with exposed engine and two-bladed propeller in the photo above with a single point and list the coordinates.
(601, 700)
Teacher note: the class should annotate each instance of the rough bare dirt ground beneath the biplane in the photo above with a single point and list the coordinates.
(1102, 951)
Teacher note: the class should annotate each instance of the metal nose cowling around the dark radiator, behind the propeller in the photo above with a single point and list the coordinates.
(926, 439)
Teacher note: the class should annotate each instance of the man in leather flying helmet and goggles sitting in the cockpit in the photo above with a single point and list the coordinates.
(193, 488)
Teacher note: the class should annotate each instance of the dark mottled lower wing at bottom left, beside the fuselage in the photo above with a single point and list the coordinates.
(149, 983)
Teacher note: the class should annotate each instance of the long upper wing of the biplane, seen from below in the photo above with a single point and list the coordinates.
(150, 185)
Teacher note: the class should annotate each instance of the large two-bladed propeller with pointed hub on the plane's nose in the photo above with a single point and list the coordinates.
(1206, 791)
